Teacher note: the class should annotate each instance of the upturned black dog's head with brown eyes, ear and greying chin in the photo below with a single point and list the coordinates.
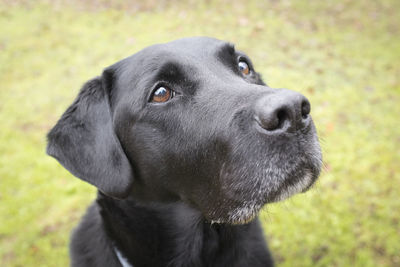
(190, 120)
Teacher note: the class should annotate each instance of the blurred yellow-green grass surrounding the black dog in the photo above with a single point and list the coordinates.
(343, 55)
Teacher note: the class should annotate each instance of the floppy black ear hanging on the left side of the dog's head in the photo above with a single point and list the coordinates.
(84, 142)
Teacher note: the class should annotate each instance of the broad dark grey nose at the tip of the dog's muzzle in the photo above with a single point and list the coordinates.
(283, 110)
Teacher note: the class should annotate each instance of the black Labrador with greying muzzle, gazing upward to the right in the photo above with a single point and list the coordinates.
(186, 144)
